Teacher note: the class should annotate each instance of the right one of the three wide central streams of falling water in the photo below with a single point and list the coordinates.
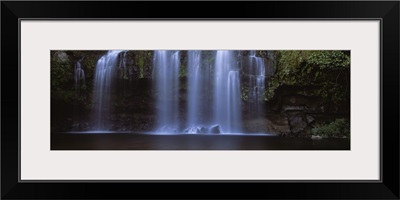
(226, 100)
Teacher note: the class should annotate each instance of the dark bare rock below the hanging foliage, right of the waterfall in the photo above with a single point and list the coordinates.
(295, 110)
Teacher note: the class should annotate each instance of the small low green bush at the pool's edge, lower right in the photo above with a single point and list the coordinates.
(337, 128)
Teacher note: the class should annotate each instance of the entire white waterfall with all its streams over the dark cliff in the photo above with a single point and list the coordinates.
(214, 99)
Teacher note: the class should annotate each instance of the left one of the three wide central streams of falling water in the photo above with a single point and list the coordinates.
(166, 76)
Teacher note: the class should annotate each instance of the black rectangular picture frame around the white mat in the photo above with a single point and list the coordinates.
(386, 11)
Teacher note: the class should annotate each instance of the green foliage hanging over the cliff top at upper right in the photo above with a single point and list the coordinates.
(327, 70)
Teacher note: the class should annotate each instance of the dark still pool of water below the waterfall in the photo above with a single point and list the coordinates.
(93, 140)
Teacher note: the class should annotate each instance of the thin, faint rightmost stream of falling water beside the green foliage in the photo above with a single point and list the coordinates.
(256, 74)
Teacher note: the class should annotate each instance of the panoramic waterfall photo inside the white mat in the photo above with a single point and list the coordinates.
(200, 100)
